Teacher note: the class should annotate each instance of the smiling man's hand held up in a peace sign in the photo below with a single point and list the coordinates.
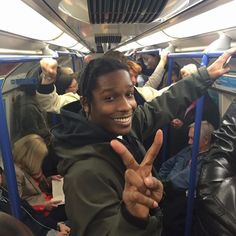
(142, 191)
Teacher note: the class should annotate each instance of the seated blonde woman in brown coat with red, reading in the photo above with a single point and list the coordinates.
(28, 154)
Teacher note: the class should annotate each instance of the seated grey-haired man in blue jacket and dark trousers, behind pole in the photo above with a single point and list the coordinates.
(175, 172)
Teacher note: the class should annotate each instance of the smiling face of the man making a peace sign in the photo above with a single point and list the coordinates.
(113, 102)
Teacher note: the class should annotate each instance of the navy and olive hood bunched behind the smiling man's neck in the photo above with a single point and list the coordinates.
(75, 138)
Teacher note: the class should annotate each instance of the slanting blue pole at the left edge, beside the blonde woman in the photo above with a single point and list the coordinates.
(8, 164)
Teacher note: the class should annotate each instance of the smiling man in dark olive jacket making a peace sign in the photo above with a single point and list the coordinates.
(103, 194)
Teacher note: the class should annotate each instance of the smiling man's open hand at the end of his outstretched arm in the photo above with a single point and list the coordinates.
(218, 68)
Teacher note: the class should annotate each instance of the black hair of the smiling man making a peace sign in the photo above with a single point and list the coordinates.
(94, 69)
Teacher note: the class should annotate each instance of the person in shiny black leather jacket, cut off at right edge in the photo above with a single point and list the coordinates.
(216, 208)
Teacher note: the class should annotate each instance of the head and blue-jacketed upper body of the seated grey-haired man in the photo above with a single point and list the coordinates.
(176, 170)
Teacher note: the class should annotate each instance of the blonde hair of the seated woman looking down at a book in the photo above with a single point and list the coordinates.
(29, 152)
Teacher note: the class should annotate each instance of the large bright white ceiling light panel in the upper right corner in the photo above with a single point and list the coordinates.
(216, 19)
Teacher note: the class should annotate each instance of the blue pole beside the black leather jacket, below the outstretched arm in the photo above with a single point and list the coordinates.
(193, 169)
